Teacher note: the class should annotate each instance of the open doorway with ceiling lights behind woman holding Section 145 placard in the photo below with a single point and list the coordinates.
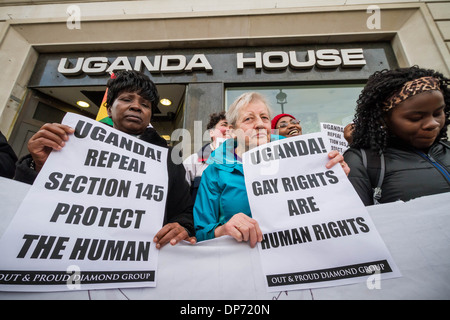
(43, 105)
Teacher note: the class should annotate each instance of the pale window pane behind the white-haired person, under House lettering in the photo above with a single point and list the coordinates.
(310, 104)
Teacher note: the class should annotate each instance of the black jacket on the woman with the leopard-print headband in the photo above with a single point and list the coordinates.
(409, 173)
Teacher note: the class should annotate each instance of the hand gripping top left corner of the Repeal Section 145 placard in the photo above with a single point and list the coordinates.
(51, 136)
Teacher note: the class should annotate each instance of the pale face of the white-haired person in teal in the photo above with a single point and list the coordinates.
(253, 125)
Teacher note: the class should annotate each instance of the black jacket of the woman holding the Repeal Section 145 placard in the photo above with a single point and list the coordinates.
(179, 205)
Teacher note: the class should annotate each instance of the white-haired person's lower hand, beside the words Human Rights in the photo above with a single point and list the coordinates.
(242, 228)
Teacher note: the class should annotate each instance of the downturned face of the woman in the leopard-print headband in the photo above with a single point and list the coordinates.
(418, 120)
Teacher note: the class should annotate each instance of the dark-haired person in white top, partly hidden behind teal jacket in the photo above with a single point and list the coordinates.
(195, 164)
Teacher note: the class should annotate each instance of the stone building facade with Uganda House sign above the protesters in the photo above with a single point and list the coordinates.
(310, 58)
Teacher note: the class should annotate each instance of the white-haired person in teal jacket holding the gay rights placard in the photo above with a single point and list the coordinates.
(222, 206)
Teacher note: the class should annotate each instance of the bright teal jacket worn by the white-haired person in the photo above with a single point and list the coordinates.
(222, 192)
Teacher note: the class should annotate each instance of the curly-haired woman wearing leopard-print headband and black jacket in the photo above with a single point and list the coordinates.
(402, 116)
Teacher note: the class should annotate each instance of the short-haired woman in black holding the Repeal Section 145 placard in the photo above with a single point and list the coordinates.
(131, 98)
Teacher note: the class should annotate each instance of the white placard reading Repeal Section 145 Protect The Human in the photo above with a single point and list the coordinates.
(89, 219)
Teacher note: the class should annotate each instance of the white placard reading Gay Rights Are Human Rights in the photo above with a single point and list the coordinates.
(316, 230)
